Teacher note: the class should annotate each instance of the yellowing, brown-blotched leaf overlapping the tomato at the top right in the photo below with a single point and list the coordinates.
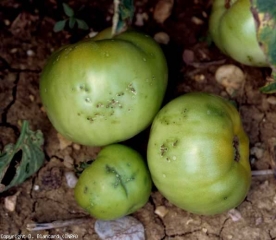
(264, 13)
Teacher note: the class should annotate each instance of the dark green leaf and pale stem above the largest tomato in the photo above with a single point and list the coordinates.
(123, 15)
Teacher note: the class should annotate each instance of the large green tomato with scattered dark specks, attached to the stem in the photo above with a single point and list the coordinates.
(104, 90)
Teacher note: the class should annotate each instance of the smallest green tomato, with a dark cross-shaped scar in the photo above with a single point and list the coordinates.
(116, 184)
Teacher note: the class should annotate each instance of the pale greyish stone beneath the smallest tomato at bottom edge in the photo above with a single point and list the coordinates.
(122, 228)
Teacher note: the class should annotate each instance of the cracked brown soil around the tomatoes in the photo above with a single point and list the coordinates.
(27, 39)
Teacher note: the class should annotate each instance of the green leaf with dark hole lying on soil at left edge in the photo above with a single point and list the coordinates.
(21, 160)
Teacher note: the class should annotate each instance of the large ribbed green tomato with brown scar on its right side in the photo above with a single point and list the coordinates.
(198, 154)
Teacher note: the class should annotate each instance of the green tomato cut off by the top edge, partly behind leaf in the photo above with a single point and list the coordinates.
(233, 30)
